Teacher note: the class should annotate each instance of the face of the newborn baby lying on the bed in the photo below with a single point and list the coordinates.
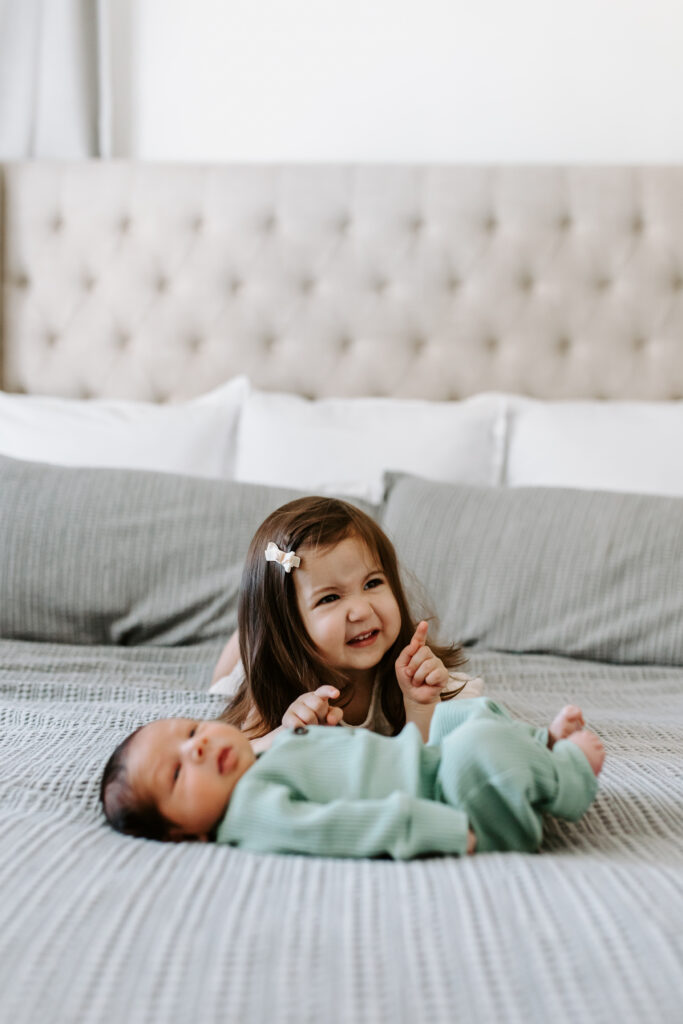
(189, 770)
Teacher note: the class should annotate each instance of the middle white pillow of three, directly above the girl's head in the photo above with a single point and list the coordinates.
(344, 446)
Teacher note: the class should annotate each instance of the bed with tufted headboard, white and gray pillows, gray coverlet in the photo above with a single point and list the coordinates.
(510, 339)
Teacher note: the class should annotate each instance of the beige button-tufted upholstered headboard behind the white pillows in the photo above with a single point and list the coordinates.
(160, 281)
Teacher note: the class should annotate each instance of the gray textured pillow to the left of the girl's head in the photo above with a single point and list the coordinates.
(123, 557)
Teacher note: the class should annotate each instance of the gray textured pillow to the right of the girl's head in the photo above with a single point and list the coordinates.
(590, 575)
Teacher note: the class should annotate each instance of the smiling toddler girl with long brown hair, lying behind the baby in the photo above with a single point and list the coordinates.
(326, 634)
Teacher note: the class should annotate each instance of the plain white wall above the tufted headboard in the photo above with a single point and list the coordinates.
(405, 80)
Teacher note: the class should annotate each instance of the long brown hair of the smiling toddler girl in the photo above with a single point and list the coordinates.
(281, 662)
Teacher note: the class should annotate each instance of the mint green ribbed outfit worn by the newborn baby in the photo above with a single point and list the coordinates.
(351, 793)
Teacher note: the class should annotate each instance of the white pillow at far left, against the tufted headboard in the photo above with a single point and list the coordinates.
(197, 438)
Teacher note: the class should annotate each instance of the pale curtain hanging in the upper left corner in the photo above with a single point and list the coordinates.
(54, 79)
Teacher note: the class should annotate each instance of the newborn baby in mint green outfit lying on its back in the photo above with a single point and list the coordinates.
(482, 783)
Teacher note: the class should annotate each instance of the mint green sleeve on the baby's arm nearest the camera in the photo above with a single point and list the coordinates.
(271, 819)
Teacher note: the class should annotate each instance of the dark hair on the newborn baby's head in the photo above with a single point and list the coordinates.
(124, 809)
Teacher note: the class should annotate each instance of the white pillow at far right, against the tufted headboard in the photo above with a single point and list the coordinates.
(599, 446)
